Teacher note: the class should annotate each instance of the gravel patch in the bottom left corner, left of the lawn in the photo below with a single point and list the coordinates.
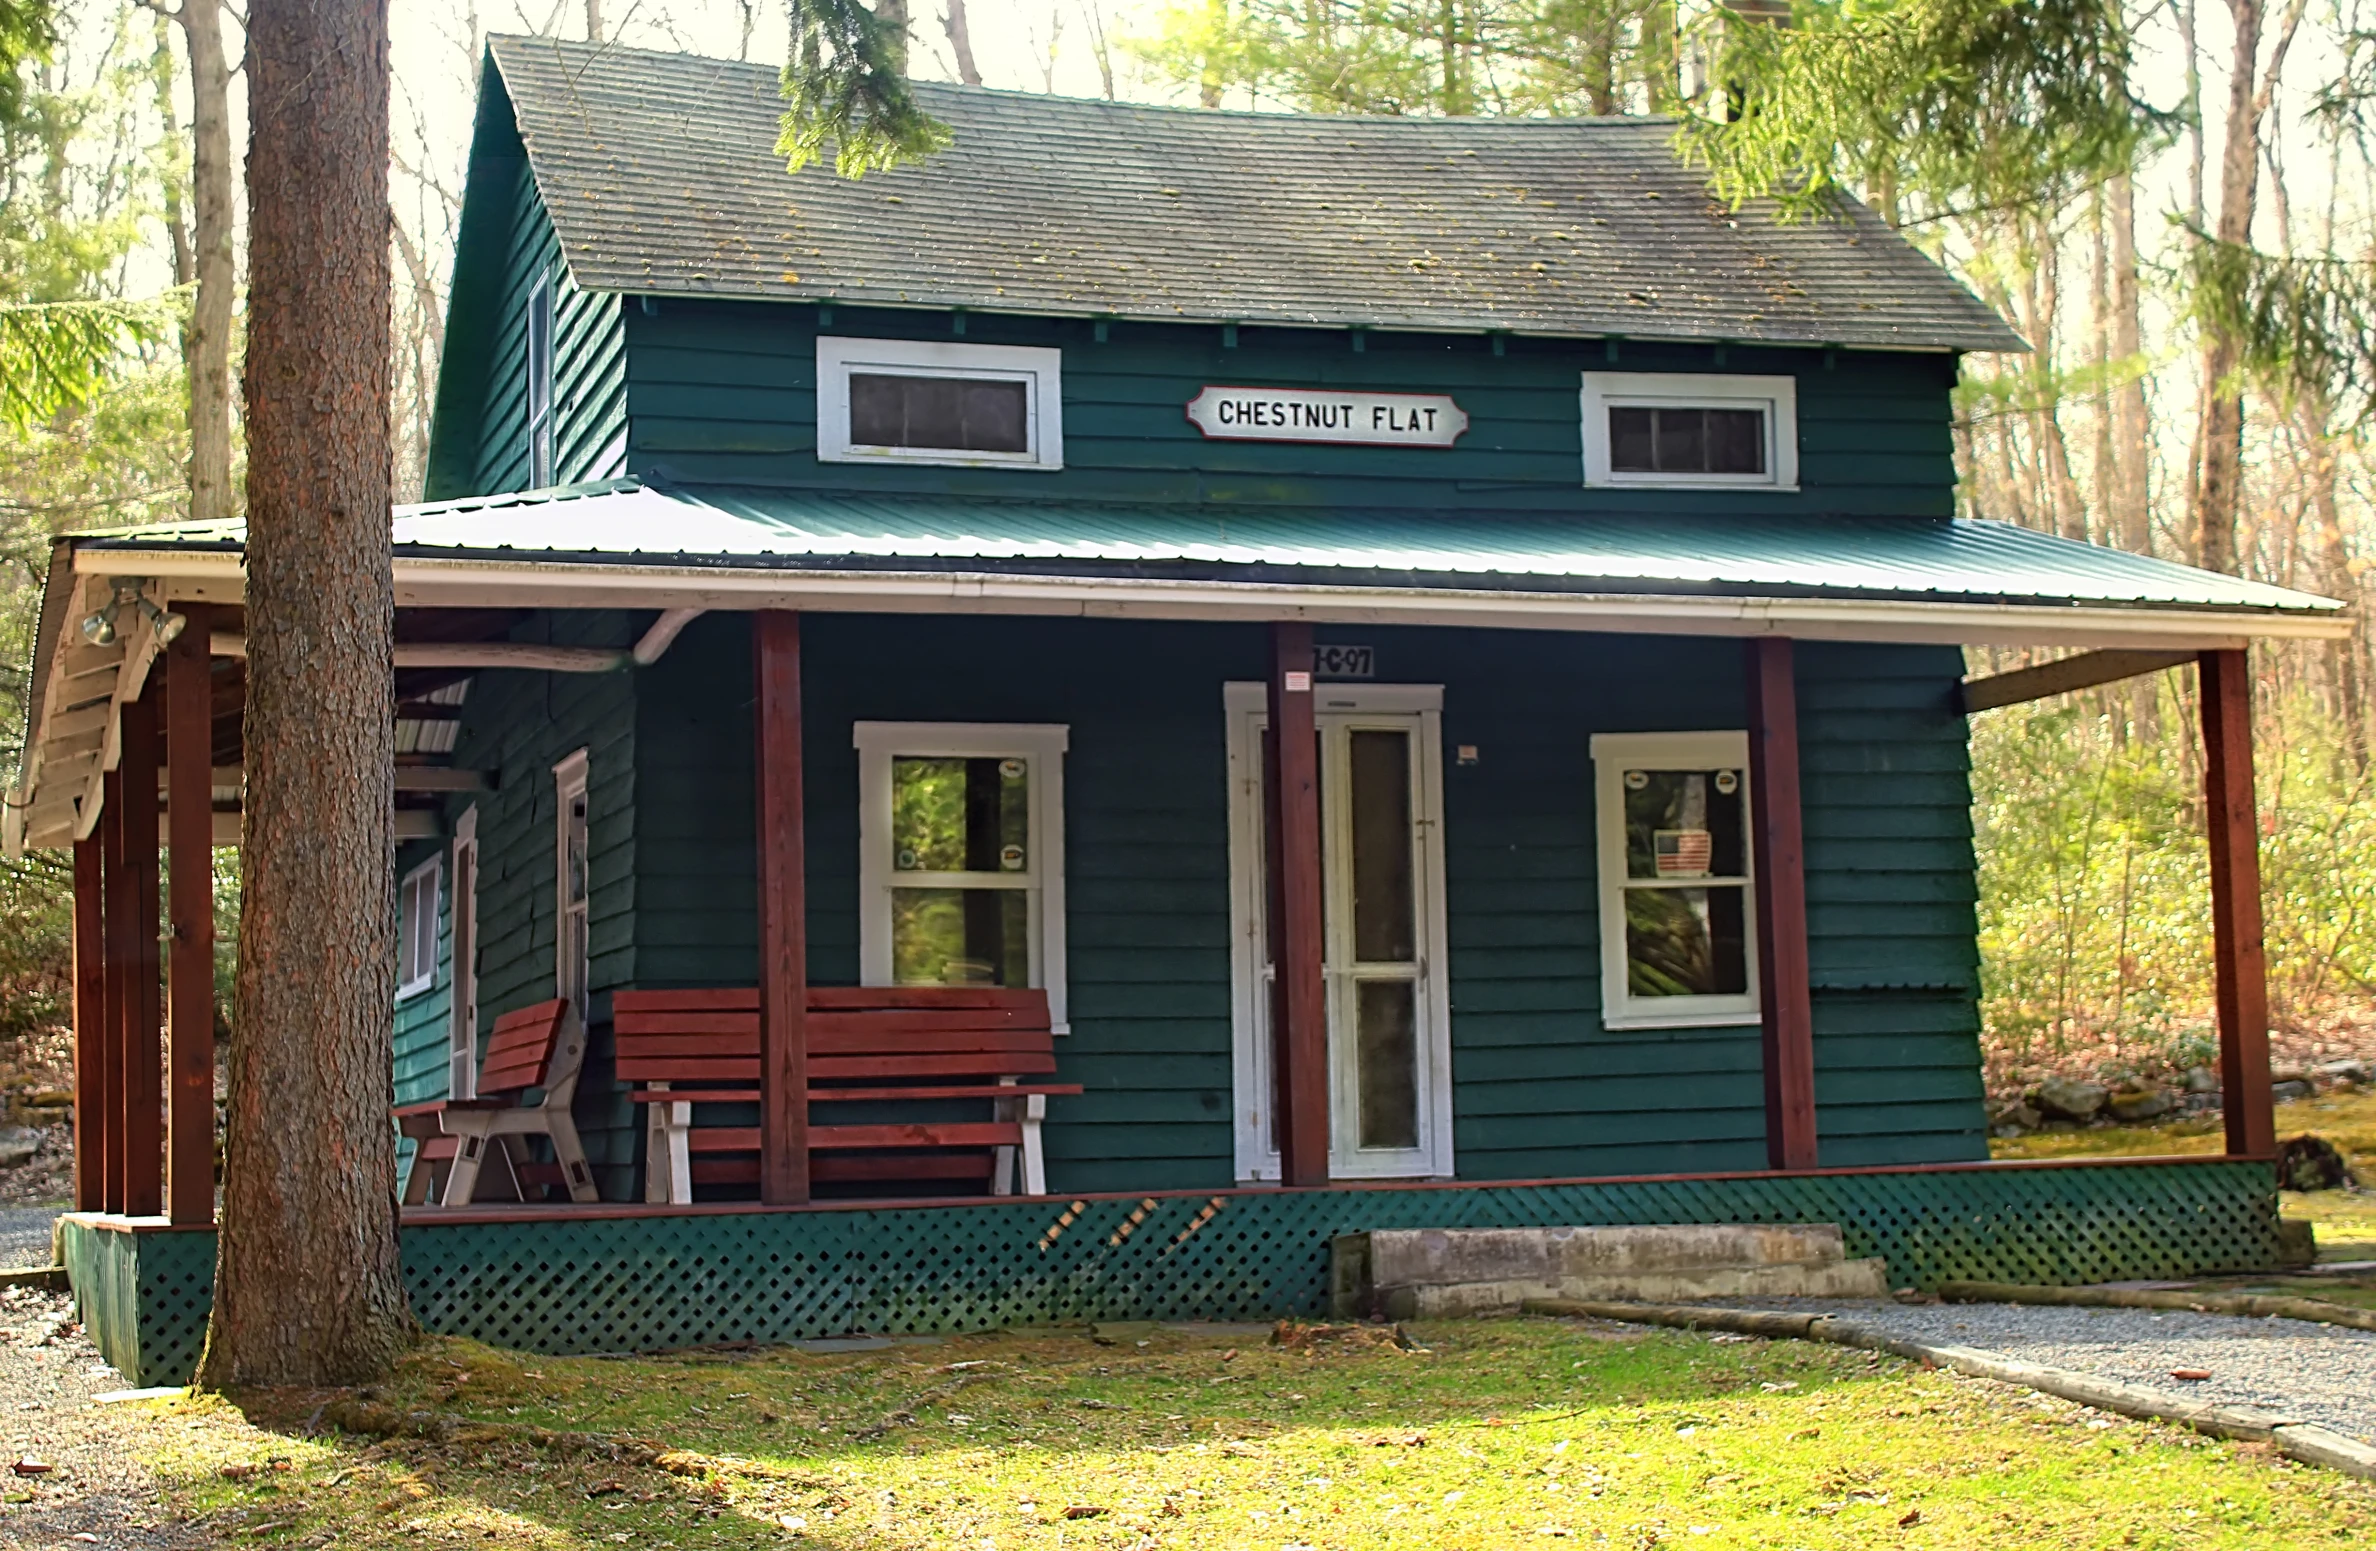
(94, 1488)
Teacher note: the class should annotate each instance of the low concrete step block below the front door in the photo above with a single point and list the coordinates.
(1467, 1272)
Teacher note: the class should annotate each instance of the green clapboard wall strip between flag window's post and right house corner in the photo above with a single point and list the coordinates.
(1892, 920)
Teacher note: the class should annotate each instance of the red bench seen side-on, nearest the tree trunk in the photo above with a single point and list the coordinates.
(531, 1049)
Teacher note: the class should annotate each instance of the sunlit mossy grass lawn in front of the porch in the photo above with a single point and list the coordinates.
(1508, 1433)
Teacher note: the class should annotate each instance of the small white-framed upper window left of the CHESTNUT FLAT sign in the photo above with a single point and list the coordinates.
(933, 403)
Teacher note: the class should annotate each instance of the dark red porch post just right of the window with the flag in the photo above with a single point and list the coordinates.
(1778, 866)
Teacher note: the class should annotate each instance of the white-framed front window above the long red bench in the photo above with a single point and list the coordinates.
(961, 866)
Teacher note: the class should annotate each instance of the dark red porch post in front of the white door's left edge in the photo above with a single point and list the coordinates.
(1298, 985)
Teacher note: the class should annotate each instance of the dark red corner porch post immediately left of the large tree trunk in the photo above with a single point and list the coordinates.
(189, 745)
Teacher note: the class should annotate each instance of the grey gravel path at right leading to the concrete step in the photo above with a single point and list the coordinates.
(2320, 1374)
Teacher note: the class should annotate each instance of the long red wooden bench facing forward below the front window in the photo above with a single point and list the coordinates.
(866, 1044)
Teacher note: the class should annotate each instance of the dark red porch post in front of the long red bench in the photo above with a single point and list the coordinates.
(783, 913)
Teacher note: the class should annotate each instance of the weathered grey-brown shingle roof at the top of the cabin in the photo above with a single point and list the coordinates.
(662, 179)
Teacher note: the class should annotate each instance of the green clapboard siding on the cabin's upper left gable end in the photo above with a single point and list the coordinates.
(479, 443)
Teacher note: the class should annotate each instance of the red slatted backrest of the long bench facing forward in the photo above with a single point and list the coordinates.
(857, 1034)
